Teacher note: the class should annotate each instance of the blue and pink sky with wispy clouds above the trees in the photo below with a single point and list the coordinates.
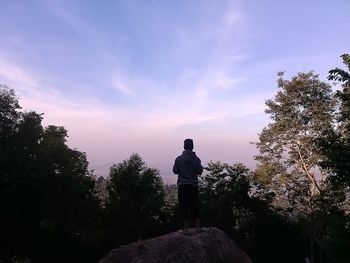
(134, 76)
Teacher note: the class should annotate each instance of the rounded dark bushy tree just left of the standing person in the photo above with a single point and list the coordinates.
(135, 200)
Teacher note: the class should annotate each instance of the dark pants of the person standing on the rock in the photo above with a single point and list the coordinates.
(188, 201)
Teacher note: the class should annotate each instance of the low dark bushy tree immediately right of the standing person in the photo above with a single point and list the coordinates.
(228, 202)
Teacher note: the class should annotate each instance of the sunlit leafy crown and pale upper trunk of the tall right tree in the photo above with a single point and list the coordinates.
(301, 112)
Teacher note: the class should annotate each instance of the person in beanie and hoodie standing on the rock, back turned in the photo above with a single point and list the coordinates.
(188, 167)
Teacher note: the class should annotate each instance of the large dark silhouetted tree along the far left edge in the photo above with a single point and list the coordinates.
(47, 195)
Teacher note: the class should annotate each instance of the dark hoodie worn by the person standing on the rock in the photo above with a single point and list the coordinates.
(188, 167)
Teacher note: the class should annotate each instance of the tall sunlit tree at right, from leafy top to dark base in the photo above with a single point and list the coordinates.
(293, 151)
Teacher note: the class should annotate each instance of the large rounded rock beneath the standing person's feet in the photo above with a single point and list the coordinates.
(210, 245)
